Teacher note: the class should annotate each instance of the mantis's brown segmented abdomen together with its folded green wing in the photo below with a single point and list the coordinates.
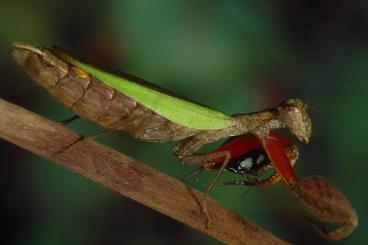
(114, 101)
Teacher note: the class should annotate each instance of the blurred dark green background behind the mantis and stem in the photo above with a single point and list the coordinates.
(237, 56)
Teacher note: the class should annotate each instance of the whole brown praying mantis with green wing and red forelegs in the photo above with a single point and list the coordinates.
(123, 102)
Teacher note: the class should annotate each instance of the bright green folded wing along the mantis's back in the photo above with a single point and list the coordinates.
(177, 110)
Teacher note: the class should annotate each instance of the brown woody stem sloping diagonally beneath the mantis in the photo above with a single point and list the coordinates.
(126, 176)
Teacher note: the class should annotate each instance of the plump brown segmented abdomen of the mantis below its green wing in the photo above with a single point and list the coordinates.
(92, 99)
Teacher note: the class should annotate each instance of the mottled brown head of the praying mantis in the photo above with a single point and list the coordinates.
(293, 113)
